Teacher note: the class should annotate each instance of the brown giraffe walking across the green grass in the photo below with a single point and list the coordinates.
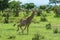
(25, 22)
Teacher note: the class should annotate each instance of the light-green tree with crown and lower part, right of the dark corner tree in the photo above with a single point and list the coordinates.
(15, 5)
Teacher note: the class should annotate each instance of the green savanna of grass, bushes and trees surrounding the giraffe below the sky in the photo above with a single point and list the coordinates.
(44, 26)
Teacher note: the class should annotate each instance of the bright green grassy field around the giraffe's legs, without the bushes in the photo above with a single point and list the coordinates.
(7, 30)
